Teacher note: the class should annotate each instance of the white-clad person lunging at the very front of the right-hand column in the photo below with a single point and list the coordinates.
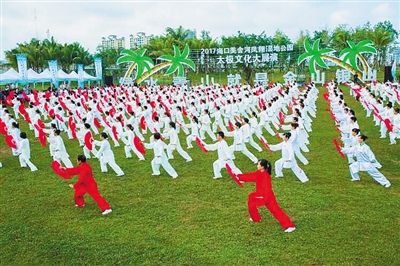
(365, 161)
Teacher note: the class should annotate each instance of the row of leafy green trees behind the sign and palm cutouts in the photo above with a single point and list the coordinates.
(383, 36)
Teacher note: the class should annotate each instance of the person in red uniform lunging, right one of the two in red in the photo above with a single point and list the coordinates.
(264, 196)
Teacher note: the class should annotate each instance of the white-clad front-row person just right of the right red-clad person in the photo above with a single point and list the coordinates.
(287, 160)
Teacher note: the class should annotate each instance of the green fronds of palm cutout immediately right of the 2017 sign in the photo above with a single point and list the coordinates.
(314, 54)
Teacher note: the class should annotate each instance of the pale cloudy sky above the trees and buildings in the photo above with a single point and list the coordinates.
(87, 22)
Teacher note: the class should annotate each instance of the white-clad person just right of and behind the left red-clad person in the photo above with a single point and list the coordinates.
(106, 155)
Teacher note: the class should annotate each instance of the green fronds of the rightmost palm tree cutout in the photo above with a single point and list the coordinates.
(354, 51)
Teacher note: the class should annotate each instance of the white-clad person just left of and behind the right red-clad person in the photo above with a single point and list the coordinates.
(224, 156)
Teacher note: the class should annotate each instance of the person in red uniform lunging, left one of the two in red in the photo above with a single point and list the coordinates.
(86, 184)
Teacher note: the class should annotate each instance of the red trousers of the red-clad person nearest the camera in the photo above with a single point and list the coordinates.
(272, 205)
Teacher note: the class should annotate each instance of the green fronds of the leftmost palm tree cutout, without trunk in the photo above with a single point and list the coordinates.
(138, 60)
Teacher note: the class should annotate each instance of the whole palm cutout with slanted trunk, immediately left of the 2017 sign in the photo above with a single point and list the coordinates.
(175, 62)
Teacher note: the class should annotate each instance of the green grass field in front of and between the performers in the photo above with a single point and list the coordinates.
(195, 220)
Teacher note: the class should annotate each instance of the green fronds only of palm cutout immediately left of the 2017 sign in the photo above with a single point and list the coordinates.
(178, 60)
